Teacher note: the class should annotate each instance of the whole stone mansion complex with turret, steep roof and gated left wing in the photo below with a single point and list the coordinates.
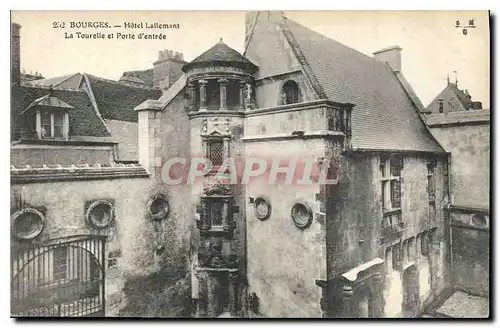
(372, 242)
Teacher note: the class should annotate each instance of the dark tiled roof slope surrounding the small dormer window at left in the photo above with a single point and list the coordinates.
(83, 120)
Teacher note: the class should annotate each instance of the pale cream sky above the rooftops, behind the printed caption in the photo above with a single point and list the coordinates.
(432, 46)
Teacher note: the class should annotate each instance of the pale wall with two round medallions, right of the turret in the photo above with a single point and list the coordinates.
(283, 260)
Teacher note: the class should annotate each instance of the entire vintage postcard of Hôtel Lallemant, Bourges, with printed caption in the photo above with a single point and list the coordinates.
(261, 164)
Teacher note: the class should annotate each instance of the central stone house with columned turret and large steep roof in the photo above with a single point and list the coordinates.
(371, 245)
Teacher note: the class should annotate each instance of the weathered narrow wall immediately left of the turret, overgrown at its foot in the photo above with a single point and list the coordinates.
(165, 134)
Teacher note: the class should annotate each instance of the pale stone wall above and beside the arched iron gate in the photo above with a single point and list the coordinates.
(131, 234)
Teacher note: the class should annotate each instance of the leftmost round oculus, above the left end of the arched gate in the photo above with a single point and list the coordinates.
(27, 223)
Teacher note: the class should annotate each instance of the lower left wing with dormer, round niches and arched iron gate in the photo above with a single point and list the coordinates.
(85, 218)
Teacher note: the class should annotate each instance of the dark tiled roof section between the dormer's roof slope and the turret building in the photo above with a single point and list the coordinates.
(116, 101)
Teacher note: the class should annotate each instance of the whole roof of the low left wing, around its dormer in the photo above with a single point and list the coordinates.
(101, 109)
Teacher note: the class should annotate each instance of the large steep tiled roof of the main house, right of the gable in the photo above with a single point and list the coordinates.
(384, 117)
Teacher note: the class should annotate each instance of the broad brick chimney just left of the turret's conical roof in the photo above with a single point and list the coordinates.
(167, 69)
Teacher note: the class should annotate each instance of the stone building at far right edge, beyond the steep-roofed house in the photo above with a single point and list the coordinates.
(462, 126)
